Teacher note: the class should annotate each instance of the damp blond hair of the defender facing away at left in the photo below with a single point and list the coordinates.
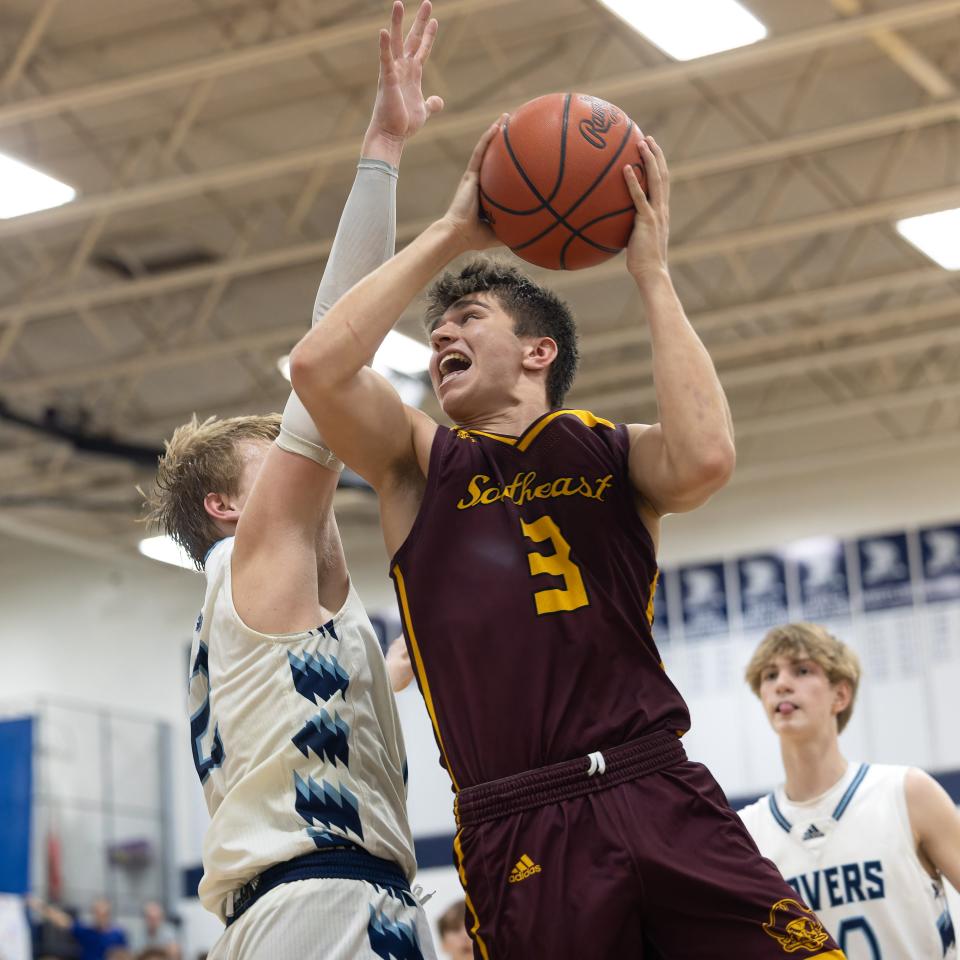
(201, 458)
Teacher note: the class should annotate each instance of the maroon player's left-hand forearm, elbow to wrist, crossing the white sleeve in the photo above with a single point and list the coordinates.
(344, 339)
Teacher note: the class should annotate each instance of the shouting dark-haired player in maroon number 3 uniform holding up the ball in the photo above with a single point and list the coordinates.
(524, 560)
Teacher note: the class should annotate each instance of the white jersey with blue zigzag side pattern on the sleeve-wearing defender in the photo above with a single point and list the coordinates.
(296, 740)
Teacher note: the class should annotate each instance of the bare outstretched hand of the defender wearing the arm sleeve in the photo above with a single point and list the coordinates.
(400, 109)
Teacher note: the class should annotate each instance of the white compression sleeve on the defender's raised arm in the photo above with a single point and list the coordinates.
(365, 238)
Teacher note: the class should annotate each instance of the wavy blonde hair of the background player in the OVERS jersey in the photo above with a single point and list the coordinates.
(808, 641)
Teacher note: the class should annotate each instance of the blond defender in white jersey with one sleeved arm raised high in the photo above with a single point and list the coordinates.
(295, 733)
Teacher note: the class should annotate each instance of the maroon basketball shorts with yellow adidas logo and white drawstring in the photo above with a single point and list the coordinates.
(634, 853)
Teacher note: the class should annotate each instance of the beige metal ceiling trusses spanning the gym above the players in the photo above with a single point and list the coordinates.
(840, 340)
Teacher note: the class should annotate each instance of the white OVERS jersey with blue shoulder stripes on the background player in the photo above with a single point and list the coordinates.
(851, 856)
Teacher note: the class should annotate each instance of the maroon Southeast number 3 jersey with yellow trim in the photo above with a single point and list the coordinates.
(526, 593)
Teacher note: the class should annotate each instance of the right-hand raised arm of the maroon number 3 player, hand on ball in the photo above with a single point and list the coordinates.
(677, 463)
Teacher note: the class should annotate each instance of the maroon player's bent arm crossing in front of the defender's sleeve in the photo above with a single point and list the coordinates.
(357, 410)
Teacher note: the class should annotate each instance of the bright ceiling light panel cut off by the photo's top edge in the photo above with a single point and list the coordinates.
(687, 29)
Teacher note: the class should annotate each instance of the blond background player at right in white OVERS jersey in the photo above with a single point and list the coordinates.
(866, 845)
